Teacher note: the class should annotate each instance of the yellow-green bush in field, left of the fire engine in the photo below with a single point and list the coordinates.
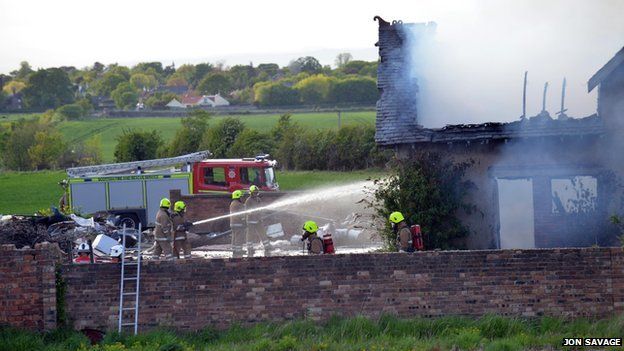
(47, 150)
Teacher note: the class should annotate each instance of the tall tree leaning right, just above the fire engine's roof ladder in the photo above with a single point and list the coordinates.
(188, 138)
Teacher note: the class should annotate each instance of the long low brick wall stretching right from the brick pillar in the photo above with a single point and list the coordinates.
(192, 294)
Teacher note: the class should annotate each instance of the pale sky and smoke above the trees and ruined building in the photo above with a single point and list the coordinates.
(483, 46)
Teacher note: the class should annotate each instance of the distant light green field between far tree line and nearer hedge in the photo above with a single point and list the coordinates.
(110, 128)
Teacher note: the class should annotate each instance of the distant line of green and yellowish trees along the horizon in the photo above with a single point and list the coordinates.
(302, 82)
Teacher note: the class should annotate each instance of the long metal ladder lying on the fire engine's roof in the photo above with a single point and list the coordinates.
(130, 166)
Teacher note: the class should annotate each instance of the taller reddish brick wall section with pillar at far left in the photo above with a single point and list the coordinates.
(27, 286)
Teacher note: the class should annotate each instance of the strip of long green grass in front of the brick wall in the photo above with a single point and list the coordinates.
(489, 333)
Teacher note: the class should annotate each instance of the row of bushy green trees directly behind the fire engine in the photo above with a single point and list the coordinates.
(295, 147)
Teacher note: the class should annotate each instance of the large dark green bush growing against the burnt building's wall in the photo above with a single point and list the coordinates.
(429, 190)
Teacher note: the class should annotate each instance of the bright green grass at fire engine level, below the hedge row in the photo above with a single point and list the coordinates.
(27, 192)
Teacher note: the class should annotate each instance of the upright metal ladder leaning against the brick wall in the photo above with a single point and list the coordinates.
(129, 284)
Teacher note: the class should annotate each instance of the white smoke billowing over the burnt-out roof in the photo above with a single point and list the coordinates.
(472, 69)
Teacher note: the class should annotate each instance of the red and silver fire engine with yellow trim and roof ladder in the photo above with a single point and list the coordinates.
(132, 190)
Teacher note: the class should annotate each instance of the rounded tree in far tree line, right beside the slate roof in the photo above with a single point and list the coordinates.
(355, 90)
